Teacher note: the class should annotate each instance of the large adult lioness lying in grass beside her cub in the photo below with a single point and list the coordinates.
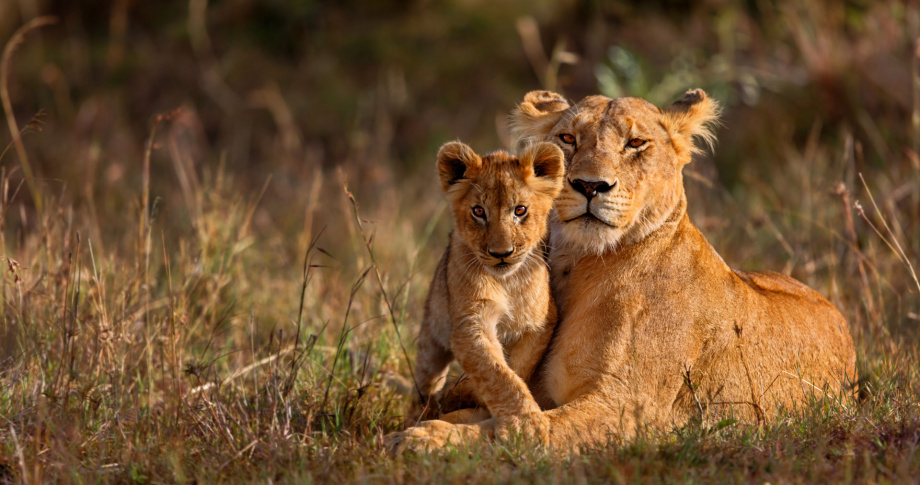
(654, 327)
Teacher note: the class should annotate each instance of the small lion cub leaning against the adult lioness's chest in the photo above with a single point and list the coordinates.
(489, 305)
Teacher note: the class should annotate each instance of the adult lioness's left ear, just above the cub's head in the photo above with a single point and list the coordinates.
(532, 120)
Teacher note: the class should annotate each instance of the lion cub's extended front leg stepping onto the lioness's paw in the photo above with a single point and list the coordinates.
(476, 347)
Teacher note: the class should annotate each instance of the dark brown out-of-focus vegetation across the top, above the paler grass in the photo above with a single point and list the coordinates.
(284, 87)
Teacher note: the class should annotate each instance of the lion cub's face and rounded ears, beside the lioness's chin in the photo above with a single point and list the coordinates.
(500, 202)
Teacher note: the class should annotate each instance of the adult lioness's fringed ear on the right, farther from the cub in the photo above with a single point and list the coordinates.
(691, 116)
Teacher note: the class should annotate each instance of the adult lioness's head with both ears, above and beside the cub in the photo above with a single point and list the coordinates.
(623, 160)
